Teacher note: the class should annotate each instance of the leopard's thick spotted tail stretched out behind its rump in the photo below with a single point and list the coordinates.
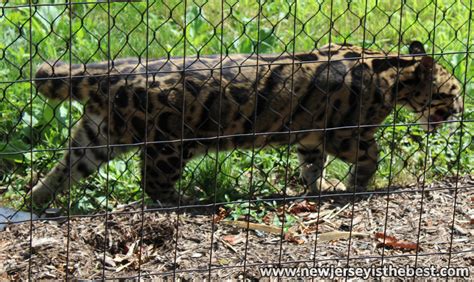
(59, 81)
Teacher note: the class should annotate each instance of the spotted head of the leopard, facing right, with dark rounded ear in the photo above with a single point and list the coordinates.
(437, 95)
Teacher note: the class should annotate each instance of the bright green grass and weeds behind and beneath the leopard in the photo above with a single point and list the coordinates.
(29, 122)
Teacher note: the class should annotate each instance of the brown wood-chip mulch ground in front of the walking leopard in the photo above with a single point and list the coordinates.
(419, 230)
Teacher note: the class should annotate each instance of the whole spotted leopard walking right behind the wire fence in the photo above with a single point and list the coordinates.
(311, 94)
